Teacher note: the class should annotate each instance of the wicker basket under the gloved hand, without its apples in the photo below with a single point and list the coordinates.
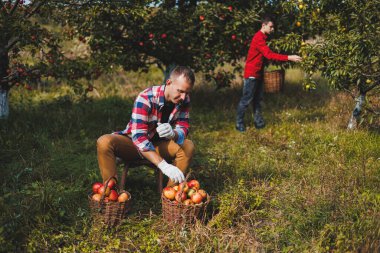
(179, 214)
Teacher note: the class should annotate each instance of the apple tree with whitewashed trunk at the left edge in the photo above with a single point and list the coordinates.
(29, 50)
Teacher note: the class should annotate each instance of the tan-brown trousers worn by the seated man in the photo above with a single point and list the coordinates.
(110, 146)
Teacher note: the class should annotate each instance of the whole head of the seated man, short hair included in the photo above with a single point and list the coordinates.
(179, 84)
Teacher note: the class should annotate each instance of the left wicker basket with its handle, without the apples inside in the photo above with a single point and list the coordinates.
(110, 213)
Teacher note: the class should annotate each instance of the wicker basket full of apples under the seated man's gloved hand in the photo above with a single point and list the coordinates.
(184, 204)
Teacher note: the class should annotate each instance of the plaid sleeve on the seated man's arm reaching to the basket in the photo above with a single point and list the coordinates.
(139, 123)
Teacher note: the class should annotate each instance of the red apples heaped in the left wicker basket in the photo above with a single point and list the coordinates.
(110, 192)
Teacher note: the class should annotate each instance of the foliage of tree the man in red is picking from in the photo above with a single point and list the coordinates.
(339, 39)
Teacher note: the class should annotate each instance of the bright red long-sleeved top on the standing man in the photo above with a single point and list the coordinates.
(257, 50)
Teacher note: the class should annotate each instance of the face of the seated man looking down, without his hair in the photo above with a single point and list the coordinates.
(177, 89)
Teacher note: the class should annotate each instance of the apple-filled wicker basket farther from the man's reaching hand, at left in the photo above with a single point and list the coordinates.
(107, 205)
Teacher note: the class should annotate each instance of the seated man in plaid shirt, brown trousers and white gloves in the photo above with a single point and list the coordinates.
(157, 130)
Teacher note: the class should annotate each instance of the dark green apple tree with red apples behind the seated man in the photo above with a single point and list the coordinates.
(200, 34)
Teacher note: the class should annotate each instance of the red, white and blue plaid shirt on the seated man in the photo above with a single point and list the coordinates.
(147, 112)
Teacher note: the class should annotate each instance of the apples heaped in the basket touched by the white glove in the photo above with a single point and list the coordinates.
(186, 193)
